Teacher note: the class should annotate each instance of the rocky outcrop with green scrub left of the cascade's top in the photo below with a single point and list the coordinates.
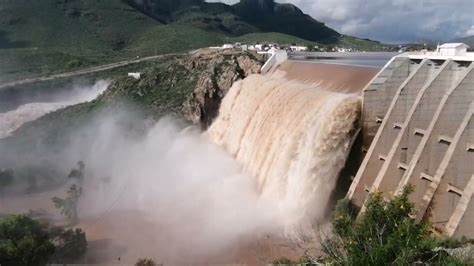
(190, 87)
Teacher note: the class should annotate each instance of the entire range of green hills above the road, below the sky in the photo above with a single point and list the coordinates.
(49, 36)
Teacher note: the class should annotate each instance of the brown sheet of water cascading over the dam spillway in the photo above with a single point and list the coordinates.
(293, 138)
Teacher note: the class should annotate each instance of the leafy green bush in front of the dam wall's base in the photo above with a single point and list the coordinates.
(384, 234)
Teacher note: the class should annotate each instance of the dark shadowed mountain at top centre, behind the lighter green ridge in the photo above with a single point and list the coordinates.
(247, 16)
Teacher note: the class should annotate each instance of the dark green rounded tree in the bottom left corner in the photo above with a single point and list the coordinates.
(24, 241)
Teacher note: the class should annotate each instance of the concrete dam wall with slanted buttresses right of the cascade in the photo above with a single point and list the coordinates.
(417, 129)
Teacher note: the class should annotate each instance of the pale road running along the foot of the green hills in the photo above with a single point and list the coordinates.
(82, 71)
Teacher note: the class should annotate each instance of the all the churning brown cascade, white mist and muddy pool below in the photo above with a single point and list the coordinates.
(244, 191)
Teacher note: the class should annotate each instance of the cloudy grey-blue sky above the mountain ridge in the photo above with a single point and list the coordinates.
(394, 21)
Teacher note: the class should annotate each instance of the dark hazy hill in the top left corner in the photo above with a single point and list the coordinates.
(80, 26)
